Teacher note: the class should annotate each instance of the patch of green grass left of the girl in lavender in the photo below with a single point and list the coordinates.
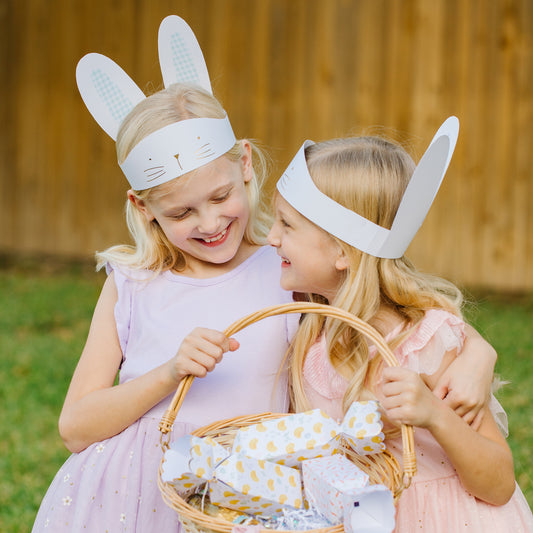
(44, 321)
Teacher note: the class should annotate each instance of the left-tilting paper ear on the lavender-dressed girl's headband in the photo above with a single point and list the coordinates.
(108, 92)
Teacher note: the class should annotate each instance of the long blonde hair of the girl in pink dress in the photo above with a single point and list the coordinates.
(367, 175)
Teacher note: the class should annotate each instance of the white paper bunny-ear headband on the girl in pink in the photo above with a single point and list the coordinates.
(297, 188)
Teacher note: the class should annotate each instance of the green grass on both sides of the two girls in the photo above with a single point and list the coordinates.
(44, 320)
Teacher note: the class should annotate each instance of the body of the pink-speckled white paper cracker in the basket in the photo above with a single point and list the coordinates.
(327, 480)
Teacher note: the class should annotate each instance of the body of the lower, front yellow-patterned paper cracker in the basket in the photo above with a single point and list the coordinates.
(255, 486)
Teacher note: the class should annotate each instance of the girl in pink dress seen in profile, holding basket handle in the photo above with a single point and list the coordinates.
(346, 211)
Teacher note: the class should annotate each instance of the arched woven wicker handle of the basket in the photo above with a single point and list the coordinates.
(409, 458)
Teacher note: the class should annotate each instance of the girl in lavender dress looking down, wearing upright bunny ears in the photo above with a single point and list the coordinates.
(199, 258)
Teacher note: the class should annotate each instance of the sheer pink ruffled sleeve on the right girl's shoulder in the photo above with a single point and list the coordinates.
(438, 333)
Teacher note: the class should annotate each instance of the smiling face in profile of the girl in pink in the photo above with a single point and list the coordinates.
(312, 261)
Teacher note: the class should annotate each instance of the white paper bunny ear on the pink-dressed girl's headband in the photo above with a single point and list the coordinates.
(422, 189)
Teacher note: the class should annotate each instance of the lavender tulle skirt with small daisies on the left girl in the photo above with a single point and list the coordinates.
(111, 486)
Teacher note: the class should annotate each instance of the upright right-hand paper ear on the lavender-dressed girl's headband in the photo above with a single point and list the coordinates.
(180, 55)
